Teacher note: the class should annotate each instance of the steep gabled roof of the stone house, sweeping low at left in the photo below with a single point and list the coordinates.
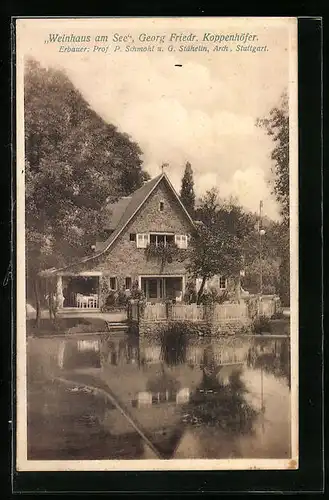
(134, 204)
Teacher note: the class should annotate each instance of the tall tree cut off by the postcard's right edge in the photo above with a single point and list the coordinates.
(277, 126)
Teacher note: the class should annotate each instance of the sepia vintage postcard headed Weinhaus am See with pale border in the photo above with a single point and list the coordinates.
(157, 272)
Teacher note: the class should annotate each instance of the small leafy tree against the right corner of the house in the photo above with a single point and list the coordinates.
(217, 245)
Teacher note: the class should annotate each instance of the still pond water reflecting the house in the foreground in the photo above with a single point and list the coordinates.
(116, 396)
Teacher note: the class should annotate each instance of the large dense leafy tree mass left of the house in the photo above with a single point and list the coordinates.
(74, 162)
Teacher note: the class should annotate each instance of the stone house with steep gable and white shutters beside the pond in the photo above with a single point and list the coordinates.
(145, 232)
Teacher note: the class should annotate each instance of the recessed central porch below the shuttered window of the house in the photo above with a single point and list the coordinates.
(159, 288)
